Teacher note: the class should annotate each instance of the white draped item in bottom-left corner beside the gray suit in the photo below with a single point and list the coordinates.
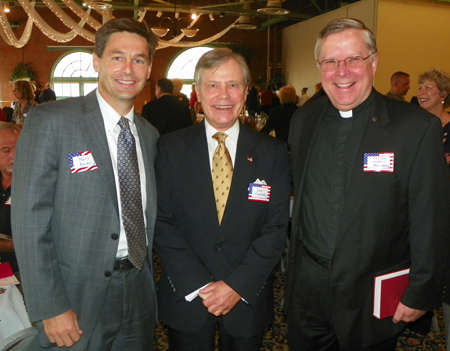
(13, 316)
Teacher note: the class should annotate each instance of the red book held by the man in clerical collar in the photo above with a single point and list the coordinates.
(388, 291)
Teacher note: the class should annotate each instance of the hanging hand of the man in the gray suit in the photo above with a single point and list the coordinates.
(63, 330)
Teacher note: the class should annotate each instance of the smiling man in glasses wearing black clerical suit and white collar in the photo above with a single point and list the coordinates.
(371, 195)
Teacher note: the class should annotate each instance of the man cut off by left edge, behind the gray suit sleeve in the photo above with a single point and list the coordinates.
(9, 133)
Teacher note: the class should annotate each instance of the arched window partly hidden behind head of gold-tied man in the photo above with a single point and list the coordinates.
(184, 65)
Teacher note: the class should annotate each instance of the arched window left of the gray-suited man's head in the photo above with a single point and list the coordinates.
(73, 75)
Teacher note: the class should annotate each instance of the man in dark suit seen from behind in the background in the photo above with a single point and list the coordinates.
(165, 113)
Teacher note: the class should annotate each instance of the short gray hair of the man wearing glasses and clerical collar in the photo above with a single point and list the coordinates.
(342, 24)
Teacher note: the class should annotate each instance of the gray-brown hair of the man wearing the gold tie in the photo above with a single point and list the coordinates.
(216, 58)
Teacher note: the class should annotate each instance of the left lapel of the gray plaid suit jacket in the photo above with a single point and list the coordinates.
(92, 125)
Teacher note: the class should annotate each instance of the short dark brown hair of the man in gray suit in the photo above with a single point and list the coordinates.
(125, 25)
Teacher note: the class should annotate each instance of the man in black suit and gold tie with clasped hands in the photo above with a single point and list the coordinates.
(229, 240)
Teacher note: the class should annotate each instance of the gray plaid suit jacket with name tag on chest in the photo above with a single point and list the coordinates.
(65, 224)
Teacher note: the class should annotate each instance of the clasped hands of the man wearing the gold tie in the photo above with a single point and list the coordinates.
(219, 298)
